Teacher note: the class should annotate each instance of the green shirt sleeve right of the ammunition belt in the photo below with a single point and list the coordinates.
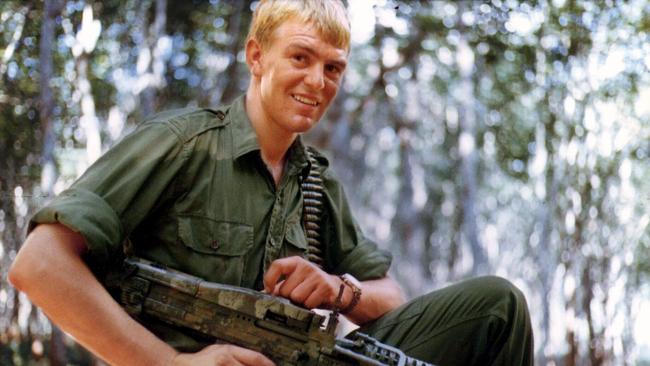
(348, 250)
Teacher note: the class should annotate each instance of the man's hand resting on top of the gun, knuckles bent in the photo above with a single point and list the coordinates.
(304, 283)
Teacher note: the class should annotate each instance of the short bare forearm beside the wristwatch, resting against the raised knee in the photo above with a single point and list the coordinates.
(377, 298)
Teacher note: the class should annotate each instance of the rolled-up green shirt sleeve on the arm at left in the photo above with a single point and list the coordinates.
(117, 192)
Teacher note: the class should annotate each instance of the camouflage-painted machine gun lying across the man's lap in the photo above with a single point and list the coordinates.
(288, 334)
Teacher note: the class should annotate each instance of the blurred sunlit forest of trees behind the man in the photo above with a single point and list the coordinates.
(502, 137)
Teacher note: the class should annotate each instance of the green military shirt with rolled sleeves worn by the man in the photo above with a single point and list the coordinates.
(188, 189)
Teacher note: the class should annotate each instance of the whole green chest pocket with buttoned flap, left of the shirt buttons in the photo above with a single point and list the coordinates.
(214, 250)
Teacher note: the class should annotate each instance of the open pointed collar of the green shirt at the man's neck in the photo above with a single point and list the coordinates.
(245, 139)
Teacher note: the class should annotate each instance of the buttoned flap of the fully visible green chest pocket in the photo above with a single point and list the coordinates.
(209, 236)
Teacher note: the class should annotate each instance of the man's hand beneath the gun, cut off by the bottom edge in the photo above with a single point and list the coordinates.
(222, 354)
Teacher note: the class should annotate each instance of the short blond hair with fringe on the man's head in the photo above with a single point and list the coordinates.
(328, 17)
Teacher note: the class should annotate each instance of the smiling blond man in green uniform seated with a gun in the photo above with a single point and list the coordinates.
(216, 193)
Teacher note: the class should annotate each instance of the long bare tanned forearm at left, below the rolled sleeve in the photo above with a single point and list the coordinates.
(50, 271)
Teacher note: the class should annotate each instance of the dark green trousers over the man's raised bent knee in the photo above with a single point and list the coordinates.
(482, 321)
